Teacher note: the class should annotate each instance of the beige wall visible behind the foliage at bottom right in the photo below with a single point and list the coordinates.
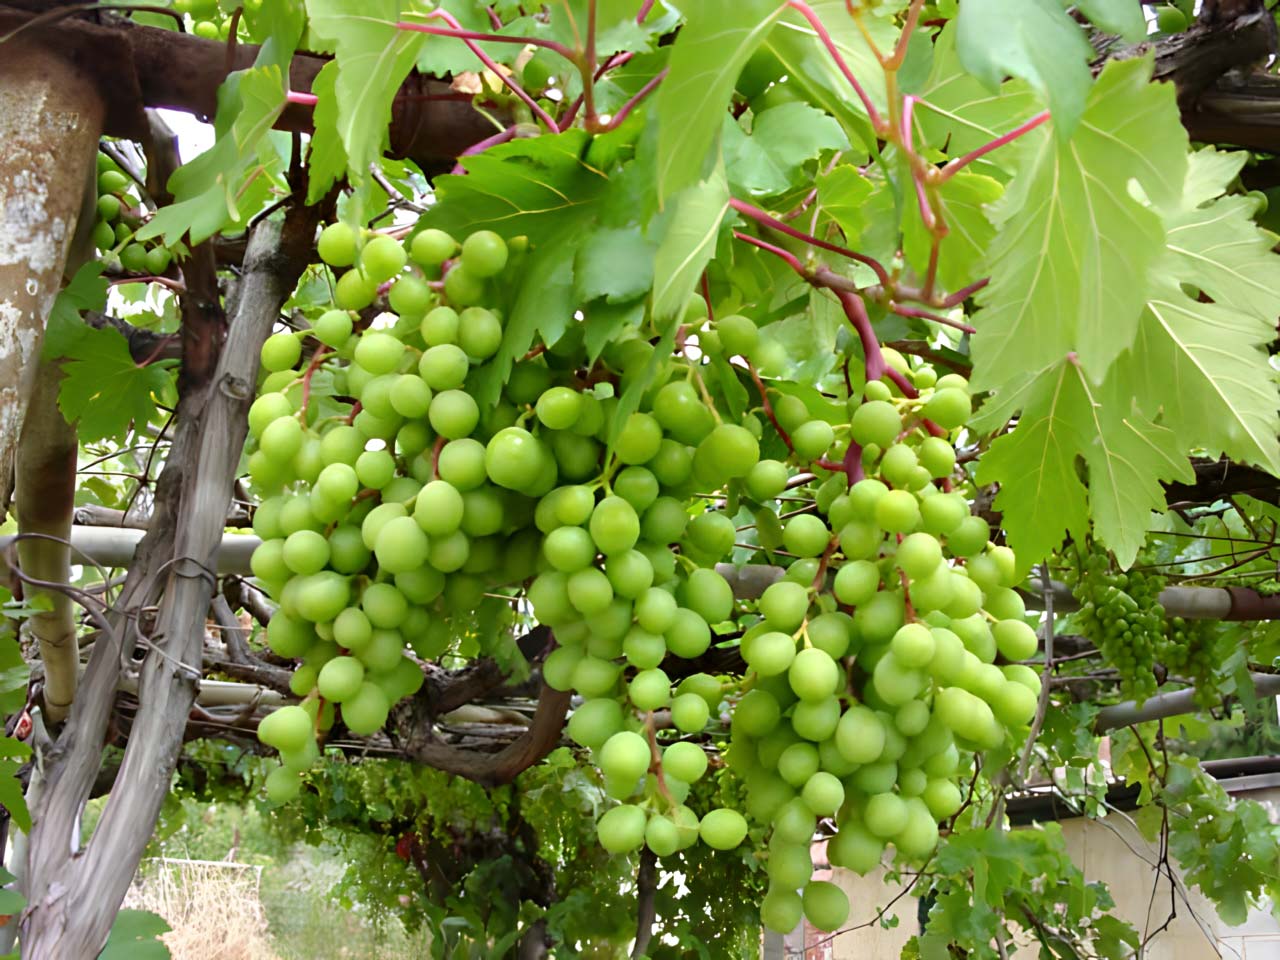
(1114, 853)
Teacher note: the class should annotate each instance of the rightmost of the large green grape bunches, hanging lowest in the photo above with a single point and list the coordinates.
(875, 674)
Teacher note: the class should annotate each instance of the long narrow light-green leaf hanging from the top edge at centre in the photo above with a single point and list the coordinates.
(706, 61)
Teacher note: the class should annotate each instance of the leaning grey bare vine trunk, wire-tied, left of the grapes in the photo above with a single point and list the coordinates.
(75, 895)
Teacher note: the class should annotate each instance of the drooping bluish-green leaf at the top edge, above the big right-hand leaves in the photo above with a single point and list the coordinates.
(1036, 40)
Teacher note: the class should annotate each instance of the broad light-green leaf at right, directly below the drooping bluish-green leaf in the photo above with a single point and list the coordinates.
(1075, 249)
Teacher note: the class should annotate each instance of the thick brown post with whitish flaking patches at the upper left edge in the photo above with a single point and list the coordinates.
(51, 121)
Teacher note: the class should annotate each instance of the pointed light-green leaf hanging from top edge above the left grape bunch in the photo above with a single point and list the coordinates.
(373, 58)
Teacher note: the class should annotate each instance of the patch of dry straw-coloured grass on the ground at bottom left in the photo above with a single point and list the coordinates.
(214, 909)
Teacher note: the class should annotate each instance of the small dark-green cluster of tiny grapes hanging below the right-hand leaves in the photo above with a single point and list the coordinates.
(1121, 614)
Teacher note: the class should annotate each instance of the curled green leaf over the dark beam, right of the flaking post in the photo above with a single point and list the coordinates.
(208, 190)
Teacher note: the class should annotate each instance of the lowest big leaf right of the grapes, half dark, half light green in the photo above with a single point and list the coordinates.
(1068, 423)
